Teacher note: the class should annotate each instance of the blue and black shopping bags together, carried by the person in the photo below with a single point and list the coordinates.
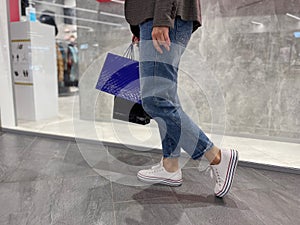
(120, 77)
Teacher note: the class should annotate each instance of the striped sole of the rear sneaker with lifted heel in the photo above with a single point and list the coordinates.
(230, 175)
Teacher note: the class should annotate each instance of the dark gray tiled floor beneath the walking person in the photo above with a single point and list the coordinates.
(46, 181)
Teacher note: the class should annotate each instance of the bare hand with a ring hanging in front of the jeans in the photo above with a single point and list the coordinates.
(160, 37)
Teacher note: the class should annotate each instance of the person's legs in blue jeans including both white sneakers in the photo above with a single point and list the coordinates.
(158, 75)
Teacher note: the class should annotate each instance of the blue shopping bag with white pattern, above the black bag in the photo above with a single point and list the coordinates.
(120, 77)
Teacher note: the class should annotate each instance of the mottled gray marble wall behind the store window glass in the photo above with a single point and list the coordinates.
(256, 68)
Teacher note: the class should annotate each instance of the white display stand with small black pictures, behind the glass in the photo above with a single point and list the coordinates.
(34, 70)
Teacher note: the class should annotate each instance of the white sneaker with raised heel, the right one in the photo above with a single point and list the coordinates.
(224, 171)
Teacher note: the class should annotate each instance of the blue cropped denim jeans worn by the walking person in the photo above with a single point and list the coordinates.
(158, 79)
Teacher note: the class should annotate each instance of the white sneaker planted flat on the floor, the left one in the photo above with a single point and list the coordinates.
(158, 174)
